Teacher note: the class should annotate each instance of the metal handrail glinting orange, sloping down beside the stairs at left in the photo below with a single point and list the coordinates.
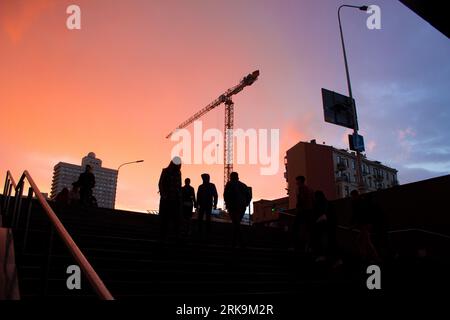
(75, 251)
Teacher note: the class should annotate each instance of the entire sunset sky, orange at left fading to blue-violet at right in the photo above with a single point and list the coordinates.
(137, 68)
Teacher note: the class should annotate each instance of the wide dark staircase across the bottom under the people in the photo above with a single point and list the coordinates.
(123, 248)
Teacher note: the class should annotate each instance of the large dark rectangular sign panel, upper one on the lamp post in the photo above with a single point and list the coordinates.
(338, 109)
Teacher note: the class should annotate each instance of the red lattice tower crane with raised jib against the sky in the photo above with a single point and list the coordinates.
(224, 98)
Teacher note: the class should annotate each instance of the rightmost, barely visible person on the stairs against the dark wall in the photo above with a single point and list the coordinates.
(362, 219)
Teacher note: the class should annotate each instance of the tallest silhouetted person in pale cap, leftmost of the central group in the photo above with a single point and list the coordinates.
(170, 201)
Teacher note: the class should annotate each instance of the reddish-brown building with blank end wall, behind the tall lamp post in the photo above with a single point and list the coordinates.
(333, 171)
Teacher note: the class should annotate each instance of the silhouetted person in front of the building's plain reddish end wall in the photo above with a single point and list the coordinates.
(303, 217)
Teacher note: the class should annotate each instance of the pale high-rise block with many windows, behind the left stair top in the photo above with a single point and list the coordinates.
(65, 174)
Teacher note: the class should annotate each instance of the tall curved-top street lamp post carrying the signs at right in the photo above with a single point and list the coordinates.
(355, 124)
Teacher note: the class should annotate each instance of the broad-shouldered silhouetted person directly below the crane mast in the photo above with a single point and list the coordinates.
(237, 197)
